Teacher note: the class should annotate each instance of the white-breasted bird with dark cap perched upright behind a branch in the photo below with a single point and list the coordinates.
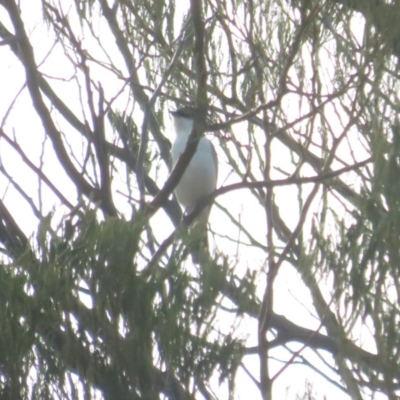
(199, 179)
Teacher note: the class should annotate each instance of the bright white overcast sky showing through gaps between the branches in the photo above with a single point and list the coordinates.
(291, 299)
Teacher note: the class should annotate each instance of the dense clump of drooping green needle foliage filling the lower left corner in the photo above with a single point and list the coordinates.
(90, 298)
